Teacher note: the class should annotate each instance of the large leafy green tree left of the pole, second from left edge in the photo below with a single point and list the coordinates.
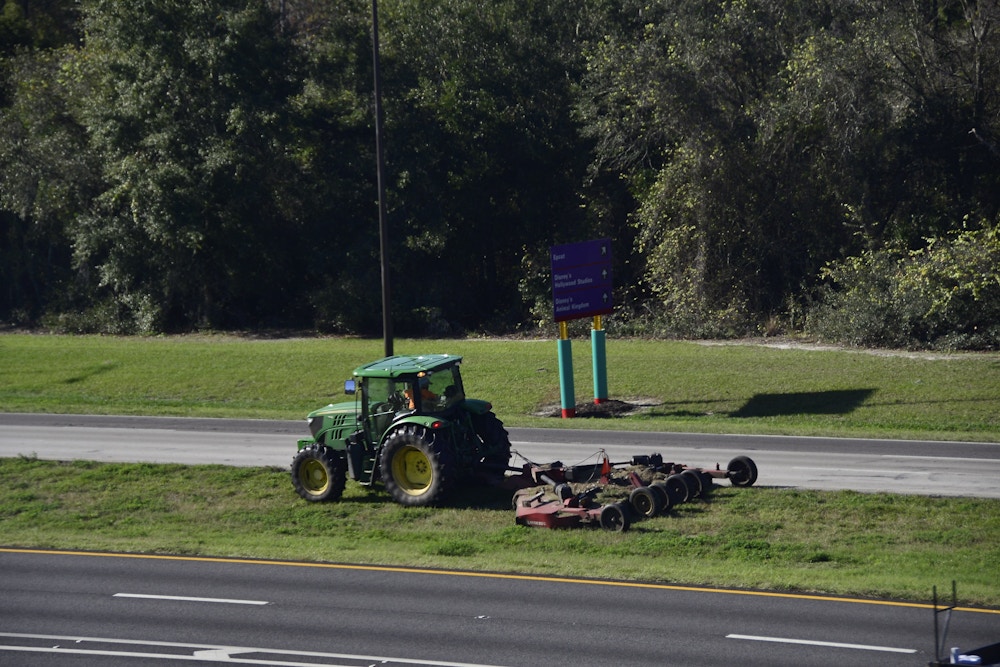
(188, 113)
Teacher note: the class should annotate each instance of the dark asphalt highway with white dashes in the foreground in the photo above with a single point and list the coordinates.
(72, 609)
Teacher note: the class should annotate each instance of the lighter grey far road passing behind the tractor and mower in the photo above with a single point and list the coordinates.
(925, 467)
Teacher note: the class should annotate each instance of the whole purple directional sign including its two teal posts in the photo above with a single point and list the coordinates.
(581, 287)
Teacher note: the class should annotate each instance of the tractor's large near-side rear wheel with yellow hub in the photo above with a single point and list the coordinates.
(416, 469)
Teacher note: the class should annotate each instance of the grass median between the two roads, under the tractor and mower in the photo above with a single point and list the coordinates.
(843, 543)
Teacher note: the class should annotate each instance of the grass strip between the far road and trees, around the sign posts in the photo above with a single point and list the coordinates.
(744, 388)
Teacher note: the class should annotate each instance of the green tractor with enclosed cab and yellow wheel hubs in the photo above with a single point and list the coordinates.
(410, 427)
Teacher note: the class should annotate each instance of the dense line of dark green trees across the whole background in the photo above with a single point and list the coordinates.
(762, 166)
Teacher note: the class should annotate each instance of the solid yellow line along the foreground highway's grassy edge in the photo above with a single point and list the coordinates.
(490, 575)
